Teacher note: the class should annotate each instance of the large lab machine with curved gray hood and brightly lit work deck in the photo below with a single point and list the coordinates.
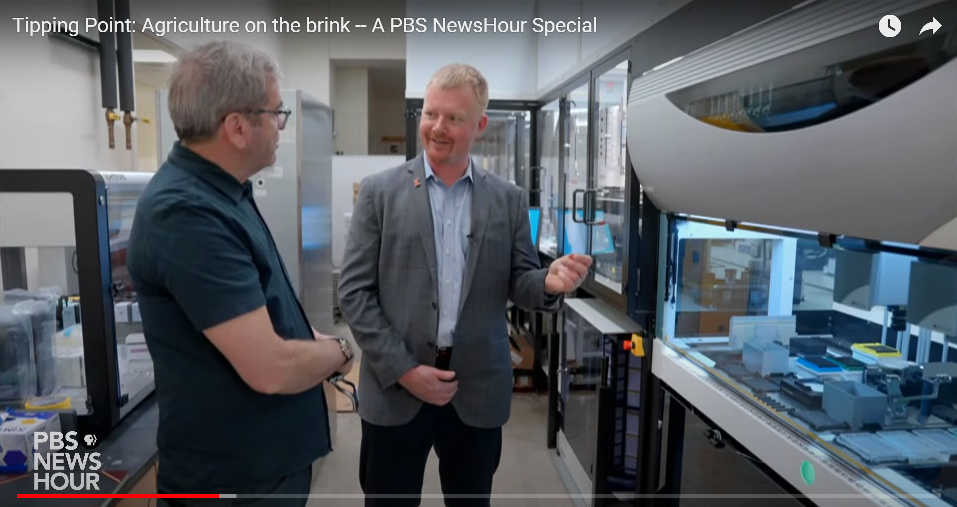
(808, 297)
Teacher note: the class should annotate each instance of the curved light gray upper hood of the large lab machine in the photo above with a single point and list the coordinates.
(886, 171)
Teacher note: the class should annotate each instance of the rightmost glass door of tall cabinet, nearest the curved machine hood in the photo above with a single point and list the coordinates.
(609, 177)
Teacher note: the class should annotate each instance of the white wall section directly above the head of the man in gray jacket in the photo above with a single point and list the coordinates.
(508, 60)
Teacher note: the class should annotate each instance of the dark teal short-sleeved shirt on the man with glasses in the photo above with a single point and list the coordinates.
(201, 254)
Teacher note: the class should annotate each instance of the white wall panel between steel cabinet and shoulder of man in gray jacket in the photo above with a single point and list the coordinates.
(347, 170)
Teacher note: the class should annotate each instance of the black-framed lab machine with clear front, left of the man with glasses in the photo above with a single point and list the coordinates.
(70, 330)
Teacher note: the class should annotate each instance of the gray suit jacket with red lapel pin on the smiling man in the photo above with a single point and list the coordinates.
(388, 292)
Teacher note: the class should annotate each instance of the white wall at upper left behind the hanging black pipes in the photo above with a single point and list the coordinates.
(50, 114)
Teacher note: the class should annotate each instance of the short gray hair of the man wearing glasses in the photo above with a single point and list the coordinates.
(214, 80)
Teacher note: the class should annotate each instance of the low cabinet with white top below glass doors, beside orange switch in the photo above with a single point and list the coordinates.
(599, 396)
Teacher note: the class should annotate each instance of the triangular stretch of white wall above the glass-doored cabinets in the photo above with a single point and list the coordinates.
(561, 56)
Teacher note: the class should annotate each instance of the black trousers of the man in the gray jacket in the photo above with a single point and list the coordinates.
(392, 459)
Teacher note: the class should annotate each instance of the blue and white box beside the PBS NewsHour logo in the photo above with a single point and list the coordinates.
(16, 438)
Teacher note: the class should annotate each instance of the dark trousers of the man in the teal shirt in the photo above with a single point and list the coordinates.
(289, 491)
